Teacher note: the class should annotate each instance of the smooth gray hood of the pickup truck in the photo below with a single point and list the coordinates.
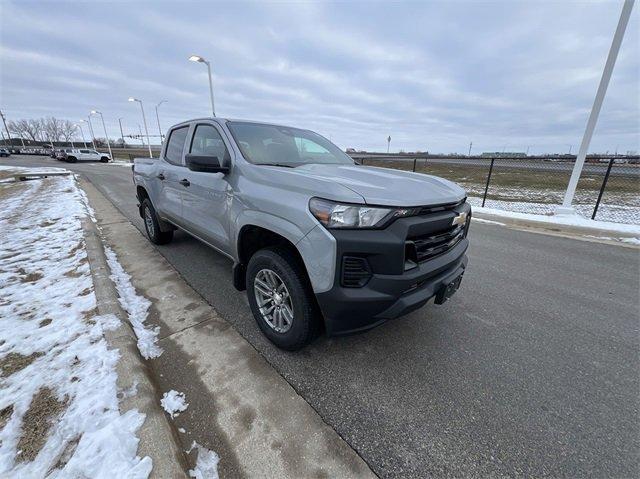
(387, 187)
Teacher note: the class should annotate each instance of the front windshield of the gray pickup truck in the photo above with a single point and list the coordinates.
(283, 146)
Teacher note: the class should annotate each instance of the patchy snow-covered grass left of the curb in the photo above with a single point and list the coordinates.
(58, 375)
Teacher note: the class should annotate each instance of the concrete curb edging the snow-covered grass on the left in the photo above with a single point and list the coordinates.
(157, 437)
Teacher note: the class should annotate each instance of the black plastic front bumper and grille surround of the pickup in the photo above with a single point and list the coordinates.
(391, 290)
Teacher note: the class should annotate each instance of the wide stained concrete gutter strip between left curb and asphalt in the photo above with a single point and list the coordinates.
(239, 406)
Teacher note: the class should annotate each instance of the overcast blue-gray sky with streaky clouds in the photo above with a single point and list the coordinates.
(433, 75)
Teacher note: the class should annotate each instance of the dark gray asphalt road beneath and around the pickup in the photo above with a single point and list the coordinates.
(530, 370)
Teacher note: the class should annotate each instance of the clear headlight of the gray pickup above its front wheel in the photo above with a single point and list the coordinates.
(341, 215)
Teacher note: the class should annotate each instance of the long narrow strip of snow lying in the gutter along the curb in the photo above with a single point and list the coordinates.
(136, 306)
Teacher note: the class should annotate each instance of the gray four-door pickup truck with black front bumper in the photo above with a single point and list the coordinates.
(318, 241)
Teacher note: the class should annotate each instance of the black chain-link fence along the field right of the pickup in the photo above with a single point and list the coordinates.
(608, 190)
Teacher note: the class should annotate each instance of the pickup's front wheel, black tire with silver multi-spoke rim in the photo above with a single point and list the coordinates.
(298, 296)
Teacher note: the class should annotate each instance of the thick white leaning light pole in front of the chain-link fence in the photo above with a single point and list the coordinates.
(566, 207)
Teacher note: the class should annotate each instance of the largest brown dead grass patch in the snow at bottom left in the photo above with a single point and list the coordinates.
(37, 422)
